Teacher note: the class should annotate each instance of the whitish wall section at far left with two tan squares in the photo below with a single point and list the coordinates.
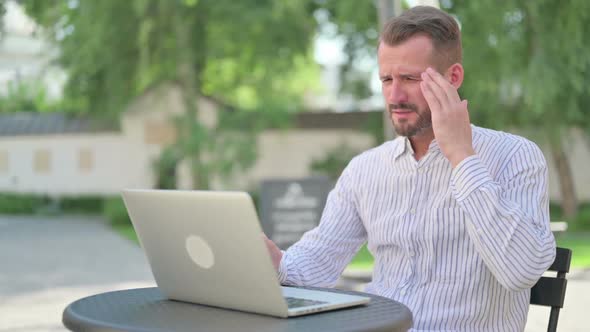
(71, 165)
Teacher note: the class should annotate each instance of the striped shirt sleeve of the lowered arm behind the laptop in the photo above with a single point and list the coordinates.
(321, 255)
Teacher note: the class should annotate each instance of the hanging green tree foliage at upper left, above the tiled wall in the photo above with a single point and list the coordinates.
(244, 53)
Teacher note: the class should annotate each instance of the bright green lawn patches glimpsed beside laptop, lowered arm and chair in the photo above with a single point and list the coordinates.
(578, 242)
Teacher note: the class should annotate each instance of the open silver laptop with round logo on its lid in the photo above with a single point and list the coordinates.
(206, 247)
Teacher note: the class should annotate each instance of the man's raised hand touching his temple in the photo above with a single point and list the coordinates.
(450, 117)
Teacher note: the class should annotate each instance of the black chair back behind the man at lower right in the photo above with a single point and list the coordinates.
(550, 291)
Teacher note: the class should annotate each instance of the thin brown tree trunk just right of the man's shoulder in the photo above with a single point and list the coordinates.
(569, 202)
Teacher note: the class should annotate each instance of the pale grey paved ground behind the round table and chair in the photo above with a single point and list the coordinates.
(48, 262)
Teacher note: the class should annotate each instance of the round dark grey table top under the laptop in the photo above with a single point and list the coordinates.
(147, 309)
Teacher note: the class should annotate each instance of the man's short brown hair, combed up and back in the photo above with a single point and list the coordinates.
(441, 27)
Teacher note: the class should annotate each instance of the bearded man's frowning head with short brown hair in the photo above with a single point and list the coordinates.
(421, 37)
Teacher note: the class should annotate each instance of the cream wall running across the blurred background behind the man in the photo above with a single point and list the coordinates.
(106, 163)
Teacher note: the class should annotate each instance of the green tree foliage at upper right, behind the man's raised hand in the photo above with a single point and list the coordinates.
(524, 60)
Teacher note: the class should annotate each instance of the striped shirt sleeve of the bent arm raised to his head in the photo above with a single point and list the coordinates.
(508, 218)
